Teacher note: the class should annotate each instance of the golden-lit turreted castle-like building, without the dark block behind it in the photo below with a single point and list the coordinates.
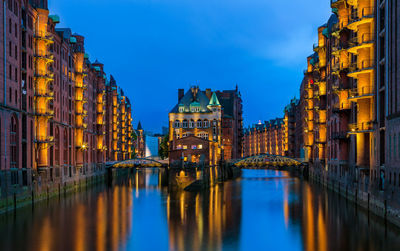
(195, 127)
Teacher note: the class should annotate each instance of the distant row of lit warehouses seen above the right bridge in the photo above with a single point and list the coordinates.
(262, 138)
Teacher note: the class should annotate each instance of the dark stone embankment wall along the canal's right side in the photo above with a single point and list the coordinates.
(376, 202)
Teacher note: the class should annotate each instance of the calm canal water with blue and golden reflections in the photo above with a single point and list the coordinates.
(263, 210)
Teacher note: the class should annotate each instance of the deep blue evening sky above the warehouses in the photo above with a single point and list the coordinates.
(154, 47)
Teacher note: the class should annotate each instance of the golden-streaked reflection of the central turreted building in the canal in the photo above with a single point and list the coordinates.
(204, 221)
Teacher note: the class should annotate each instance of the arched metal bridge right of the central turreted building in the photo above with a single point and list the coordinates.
(267, 160)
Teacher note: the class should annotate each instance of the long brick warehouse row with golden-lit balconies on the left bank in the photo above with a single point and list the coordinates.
(54, 104)
